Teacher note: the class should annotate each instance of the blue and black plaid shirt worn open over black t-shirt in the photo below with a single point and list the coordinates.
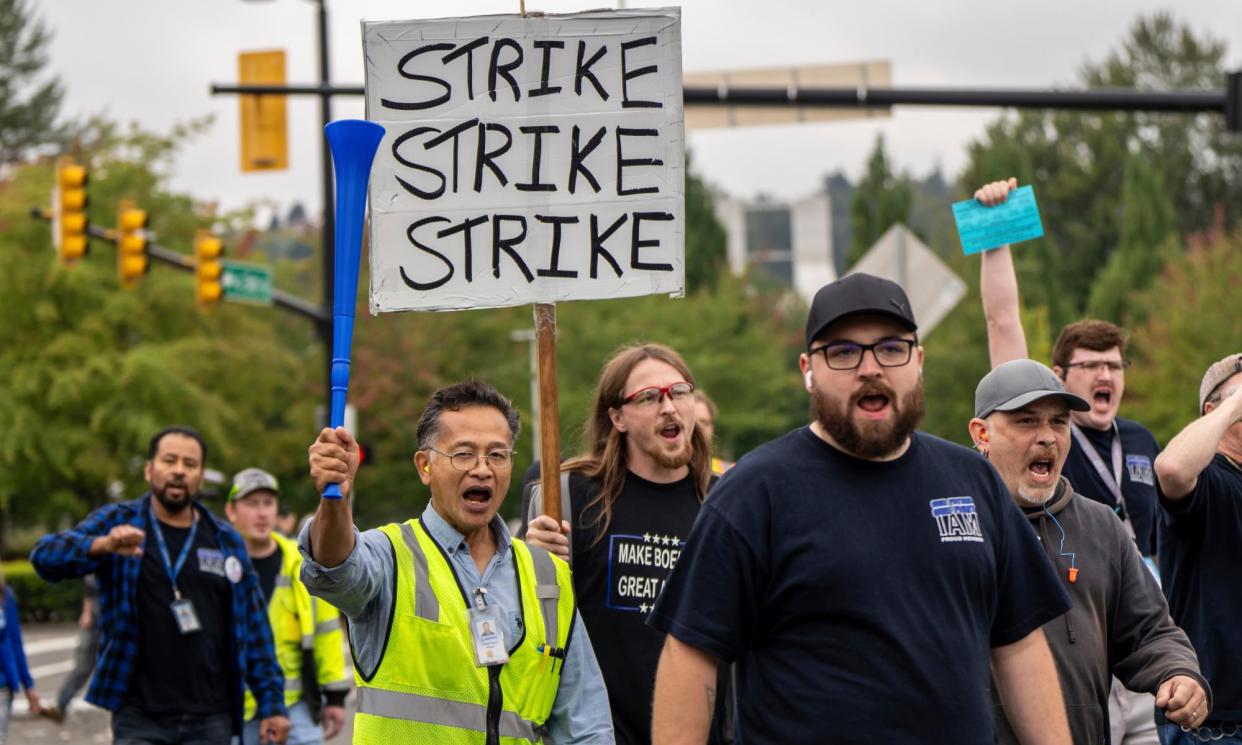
(64, 556)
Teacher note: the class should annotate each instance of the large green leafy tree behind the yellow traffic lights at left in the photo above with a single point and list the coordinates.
(93, 372)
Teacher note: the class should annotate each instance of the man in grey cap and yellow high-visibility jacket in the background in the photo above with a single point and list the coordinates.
(307, 631)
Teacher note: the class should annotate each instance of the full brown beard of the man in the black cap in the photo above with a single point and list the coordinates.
(870, 440)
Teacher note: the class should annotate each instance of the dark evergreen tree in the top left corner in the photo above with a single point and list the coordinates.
(30, 100)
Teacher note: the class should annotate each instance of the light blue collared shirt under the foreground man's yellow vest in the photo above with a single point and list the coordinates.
(362, 588)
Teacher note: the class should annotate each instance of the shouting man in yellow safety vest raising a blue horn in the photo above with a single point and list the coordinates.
(461, 635)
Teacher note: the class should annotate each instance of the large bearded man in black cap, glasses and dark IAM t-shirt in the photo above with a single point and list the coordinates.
(864, 577)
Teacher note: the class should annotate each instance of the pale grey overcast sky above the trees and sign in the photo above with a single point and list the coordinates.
(155, 60)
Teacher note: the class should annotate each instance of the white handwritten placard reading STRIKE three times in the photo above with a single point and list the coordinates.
(526, 160)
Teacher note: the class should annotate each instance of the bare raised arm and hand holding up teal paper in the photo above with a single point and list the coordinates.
(998, 285)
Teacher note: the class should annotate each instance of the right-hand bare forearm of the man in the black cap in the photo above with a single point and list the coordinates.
(1028, 682)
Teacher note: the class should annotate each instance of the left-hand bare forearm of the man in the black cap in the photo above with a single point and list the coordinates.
(685, 695)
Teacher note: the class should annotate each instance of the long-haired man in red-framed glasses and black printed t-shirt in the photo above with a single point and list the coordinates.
(633, 500)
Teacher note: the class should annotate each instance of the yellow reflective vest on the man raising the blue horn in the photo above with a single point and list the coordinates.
(427, 689)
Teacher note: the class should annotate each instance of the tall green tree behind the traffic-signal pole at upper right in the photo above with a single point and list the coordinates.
(1077, 162)
